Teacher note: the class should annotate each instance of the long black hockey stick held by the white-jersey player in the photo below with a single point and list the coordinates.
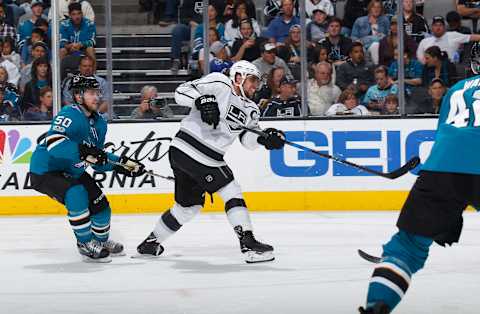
(411, 164)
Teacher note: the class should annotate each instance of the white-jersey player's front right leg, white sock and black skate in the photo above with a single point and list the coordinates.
(239, 218)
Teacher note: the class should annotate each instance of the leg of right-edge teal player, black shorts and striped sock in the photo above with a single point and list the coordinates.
(432, 212)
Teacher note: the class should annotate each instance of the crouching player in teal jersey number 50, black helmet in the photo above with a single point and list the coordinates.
(74, 142)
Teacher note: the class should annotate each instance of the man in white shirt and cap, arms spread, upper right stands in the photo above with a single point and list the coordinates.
(450, 42)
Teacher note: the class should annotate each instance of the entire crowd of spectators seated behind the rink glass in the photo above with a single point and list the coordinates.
(352, 59)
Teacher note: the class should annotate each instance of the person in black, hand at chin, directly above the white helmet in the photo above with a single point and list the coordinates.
(248, 46)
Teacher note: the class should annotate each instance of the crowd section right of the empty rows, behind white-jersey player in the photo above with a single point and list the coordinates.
(352, 59)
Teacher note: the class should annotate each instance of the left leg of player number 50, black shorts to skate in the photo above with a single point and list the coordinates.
(74, 196)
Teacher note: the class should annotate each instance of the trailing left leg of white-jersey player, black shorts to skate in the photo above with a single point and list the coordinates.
(189, 199)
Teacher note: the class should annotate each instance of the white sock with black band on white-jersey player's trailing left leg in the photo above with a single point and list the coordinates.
(173, 219)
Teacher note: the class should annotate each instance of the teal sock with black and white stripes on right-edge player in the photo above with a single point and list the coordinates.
(403, 256)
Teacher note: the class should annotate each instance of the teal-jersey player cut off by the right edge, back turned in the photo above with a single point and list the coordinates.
(448, 182)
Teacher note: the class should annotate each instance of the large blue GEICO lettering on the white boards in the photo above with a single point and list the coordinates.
(388, 150)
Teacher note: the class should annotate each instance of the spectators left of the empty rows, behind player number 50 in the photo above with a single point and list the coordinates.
(25, 62)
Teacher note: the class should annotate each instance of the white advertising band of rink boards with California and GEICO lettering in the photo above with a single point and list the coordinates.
(383, 145)
